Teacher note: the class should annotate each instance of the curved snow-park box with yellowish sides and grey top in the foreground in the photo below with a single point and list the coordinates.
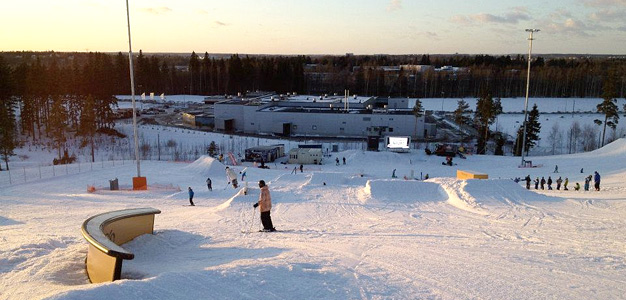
(106, 232)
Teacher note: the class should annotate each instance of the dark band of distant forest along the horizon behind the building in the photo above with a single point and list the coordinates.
(105, 74)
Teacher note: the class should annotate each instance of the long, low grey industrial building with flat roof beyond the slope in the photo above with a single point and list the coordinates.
(323, 116)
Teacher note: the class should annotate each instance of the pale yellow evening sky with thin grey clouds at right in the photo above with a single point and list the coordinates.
(316, 27)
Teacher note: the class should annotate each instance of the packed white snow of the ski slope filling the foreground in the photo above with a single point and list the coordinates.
(345, 232)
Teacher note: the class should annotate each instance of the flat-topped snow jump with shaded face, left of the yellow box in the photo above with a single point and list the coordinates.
(406, 191)
